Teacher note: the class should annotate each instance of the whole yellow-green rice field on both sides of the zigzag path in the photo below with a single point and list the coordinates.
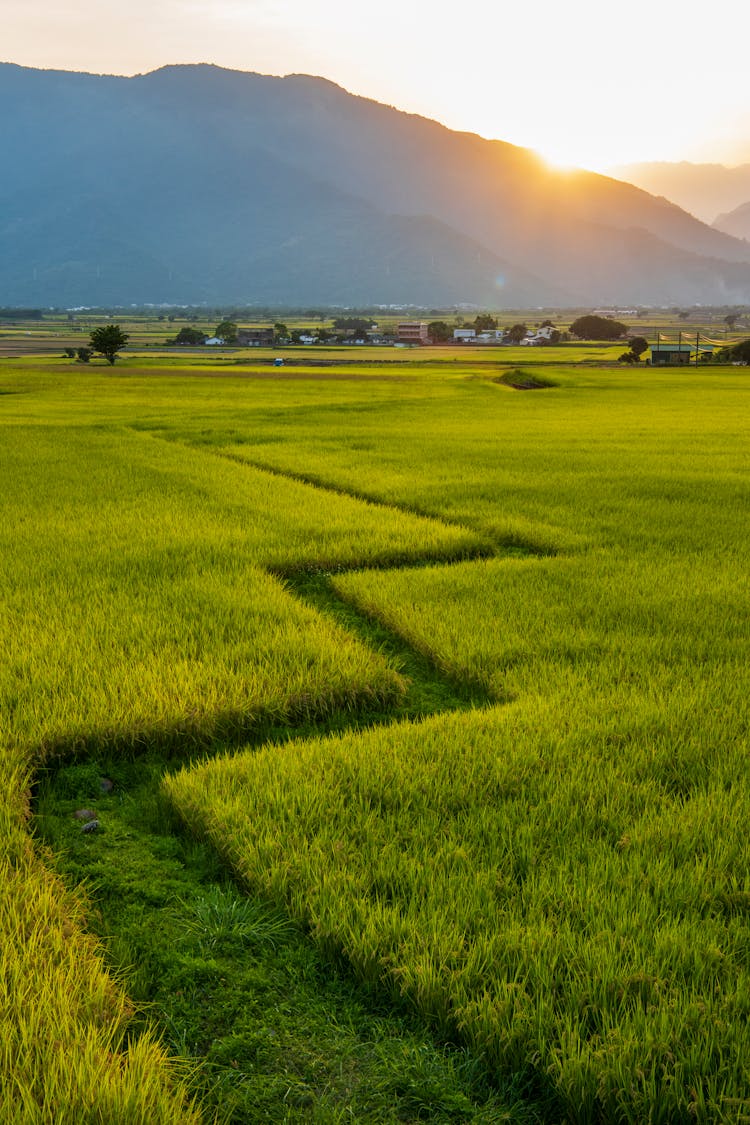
(558, 881)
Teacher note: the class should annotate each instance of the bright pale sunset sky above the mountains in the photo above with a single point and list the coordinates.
(582, 83)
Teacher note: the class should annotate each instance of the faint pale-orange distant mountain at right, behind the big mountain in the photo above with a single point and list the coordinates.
(706, 191)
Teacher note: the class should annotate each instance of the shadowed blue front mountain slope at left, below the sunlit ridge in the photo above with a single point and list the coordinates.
(115, 196)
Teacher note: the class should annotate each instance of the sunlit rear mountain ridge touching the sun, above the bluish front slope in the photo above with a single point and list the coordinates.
(499, 194)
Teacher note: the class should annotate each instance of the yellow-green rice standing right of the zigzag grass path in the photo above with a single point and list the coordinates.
(563, 881)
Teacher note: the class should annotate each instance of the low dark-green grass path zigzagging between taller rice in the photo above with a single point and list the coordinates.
(229, 982)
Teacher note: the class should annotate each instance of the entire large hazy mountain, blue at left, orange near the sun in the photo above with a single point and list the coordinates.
(197, 184)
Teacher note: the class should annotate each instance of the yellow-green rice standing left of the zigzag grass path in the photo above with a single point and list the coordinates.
(137, 608)
